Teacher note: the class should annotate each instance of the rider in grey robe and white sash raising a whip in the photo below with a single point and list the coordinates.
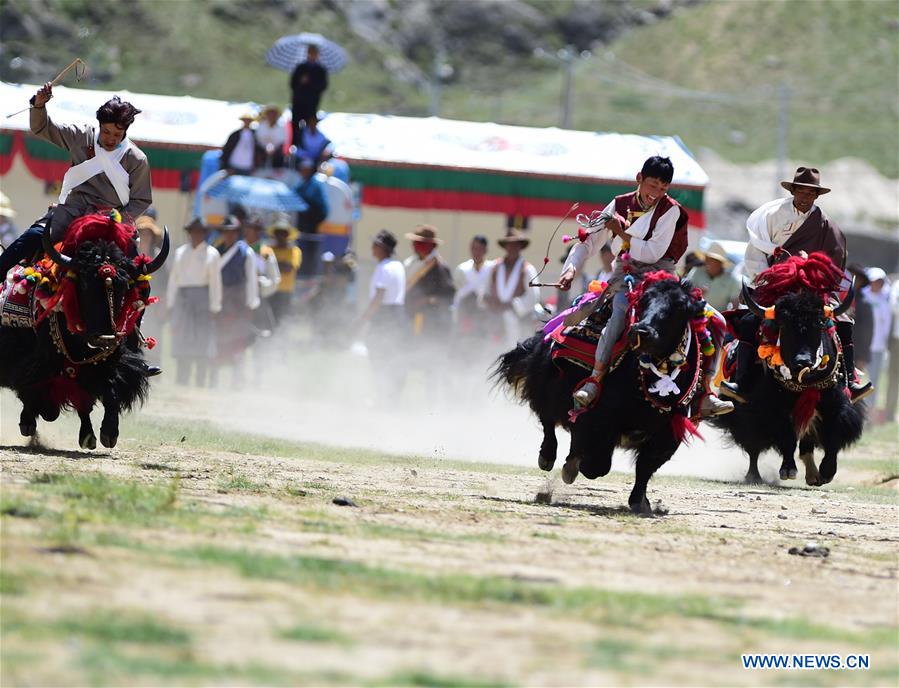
(107, 171)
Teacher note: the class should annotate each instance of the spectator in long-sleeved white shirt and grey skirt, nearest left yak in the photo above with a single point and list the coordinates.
(194, 297)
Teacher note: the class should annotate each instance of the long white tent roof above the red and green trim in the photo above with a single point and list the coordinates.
(412, 141)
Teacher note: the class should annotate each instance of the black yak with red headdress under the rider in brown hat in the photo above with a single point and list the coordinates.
(797, 393)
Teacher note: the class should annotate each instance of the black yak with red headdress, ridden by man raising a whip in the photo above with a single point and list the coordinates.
(80, 343)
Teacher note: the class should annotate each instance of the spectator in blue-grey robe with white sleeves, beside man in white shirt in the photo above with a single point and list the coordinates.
(240, 297)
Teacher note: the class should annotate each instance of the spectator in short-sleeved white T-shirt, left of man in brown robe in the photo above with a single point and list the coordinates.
(386, 317)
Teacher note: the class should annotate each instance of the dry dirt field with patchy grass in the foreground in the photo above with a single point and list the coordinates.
(196, 555)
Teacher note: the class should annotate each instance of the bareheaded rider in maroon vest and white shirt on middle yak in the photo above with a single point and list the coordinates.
(648, 229)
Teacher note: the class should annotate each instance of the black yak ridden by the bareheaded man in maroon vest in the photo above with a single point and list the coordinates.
(633, 411)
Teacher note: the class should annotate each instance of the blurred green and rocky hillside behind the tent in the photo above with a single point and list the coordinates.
(709, 72)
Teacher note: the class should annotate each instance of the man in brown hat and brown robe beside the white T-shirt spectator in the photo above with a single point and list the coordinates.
(429, 286)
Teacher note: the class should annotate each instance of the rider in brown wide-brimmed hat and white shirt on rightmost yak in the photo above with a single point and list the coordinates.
(791, 226)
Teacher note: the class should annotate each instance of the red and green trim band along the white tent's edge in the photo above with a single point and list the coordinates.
(383, 184)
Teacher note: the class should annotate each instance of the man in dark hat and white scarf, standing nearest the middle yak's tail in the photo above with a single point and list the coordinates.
(509, 294)
